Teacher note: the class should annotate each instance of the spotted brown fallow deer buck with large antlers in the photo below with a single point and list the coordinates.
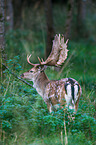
(66, 91)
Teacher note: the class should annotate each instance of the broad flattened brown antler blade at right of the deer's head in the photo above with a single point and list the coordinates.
(58, 53)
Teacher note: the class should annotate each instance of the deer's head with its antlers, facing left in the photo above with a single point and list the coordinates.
(56, 58)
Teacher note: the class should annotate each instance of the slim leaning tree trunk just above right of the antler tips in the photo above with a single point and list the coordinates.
(69, 18)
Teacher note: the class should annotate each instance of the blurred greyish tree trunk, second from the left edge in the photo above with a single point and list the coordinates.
(9, 14)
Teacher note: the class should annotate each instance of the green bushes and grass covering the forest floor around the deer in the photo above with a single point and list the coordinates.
(24, 118)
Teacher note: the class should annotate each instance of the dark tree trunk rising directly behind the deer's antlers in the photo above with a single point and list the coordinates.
(50, 29)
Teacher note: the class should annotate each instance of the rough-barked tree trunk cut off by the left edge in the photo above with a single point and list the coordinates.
(2, 30)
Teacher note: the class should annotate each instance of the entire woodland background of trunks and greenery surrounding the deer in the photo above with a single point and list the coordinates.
(28, 27)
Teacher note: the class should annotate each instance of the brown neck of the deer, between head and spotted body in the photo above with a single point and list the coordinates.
(40, 82)
